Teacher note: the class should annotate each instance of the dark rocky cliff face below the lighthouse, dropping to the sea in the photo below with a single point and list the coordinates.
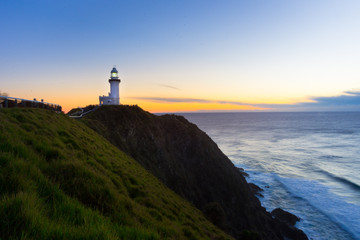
(189, 162)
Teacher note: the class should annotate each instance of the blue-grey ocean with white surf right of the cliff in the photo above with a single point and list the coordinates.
(307, 164)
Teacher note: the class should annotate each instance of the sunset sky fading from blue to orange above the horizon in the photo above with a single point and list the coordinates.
(184, 55)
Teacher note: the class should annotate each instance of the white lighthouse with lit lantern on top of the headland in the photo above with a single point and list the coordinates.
(114, 97)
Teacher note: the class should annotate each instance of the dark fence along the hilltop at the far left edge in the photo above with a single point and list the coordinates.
(10, 102)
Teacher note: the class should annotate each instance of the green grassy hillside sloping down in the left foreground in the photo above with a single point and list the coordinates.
(61, 180)
